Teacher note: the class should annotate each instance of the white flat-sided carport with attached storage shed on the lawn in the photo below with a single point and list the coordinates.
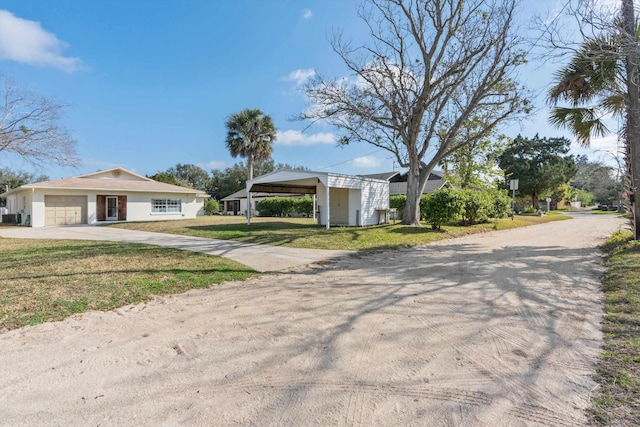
(351, 200)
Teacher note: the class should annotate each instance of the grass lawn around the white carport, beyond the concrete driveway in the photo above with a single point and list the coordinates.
(302, 233)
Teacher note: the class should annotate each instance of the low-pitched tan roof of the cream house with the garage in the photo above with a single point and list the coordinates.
(116, 179)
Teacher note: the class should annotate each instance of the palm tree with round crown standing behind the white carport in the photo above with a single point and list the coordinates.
(250, 134)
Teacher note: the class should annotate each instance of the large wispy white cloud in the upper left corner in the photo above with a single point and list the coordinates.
(27, 42)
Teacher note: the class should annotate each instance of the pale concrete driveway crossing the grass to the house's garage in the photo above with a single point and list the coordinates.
(262, 258)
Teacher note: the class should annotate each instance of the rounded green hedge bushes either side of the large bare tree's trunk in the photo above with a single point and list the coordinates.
(464, 207)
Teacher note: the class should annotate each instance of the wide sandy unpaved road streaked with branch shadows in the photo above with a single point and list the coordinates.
(494, 329)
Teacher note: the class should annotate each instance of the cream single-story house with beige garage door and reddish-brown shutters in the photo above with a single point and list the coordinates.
(110, 195)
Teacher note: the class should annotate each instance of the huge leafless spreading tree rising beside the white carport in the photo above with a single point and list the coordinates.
(429, 65)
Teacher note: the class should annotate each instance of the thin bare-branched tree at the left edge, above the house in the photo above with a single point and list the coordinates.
(30, 127)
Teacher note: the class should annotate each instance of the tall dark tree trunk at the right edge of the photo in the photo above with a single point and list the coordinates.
(632, 53)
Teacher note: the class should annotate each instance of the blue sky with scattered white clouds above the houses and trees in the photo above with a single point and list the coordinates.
(150, 83)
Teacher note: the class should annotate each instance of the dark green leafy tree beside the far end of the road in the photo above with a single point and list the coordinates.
(540, 164)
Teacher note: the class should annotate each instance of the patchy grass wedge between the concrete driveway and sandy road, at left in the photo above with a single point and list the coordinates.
(47, 280)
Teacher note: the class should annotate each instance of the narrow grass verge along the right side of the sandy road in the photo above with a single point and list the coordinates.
(618, 400)
